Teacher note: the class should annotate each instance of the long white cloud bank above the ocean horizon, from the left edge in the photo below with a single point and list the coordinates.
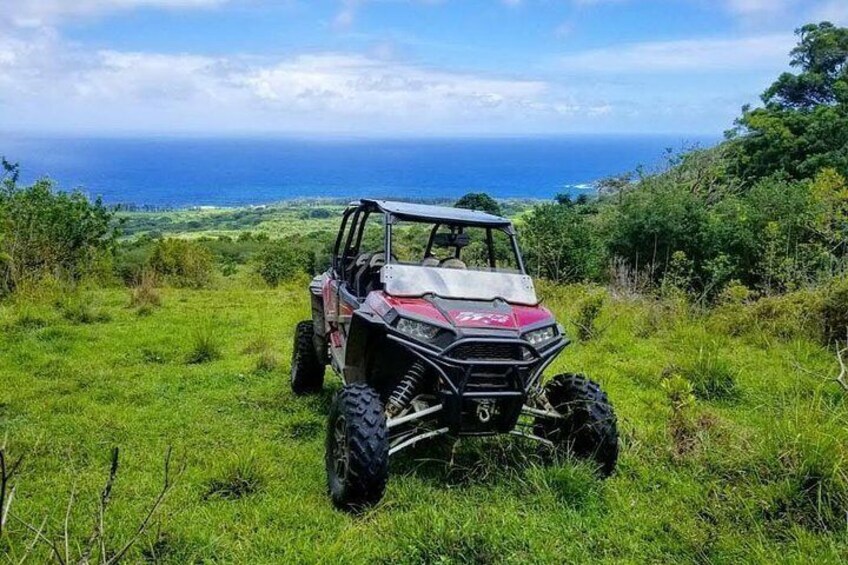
(48, 85)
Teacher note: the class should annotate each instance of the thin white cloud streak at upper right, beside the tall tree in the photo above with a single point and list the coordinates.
(751, 53)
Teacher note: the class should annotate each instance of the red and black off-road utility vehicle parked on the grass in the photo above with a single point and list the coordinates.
(429, 317)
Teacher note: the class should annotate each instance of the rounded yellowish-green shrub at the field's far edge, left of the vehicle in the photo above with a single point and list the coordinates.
(182, 263)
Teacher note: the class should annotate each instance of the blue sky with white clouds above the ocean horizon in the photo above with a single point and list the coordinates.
(391, 67)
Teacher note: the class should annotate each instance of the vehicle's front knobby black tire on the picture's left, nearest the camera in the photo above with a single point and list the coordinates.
(357, 448)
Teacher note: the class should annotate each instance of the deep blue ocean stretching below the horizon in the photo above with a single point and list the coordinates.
(181, 172)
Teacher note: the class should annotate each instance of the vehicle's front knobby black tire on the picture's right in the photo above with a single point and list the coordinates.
(588, 429)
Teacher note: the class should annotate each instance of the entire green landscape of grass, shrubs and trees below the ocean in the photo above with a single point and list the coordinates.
(709, 299)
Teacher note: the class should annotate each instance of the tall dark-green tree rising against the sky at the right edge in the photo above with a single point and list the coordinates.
(803, 126)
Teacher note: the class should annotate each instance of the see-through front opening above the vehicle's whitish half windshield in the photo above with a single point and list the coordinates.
(455, 247)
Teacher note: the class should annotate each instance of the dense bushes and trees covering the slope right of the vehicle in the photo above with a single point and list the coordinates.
(768, 208)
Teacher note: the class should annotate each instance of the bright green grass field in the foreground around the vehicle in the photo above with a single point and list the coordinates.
(733, 447)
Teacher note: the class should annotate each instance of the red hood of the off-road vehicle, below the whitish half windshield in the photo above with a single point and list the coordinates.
(468, 314)
